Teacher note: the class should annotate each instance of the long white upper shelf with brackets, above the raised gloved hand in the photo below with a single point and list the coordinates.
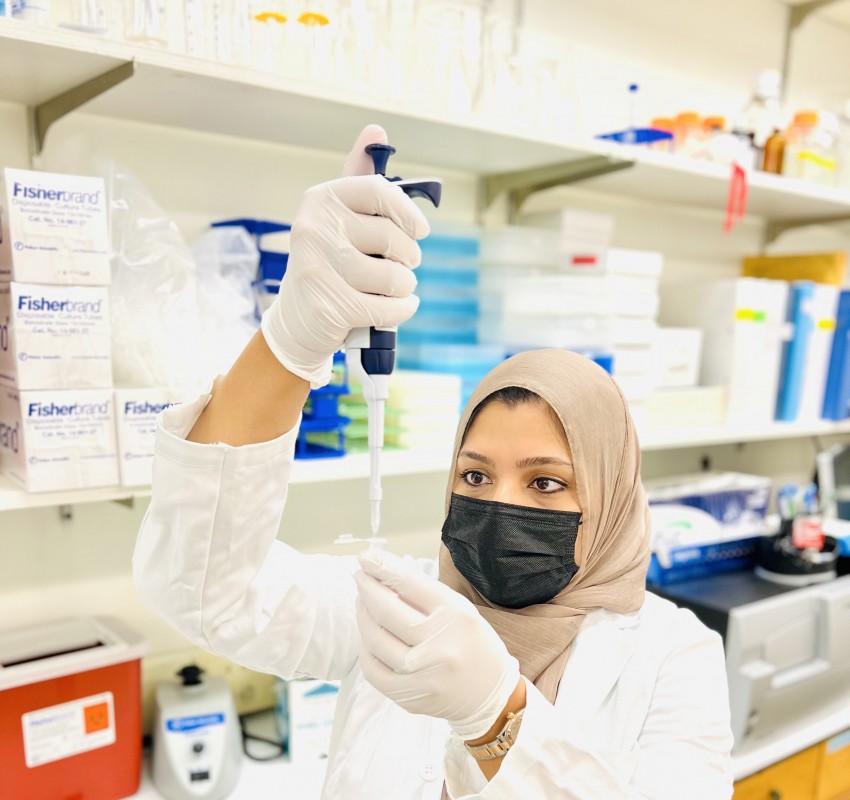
(117, 80)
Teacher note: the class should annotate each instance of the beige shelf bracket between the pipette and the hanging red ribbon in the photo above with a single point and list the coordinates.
(520, 185)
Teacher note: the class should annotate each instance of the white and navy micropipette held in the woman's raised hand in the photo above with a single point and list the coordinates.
(370, 352)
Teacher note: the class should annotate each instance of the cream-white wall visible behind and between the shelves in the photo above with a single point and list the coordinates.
(684, 53)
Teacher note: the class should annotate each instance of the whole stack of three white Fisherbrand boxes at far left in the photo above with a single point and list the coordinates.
(57, 421)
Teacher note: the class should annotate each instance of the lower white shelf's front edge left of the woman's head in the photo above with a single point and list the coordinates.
(356, 466)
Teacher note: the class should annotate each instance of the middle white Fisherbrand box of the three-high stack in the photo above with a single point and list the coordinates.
(54, 337)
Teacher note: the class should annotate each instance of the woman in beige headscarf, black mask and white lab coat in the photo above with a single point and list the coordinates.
(535, 665)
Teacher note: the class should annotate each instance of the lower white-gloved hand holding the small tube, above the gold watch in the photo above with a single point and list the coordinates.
(428, 649)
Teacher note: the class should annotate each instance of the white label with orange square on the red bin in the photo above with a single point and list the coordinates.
(64, 730)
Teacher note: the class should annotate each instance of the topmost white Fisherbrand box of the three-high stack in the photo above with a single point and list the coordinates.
(55, 229)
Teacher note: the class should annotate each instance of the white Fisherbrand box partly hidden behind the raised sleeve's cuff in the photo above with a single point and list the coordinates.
(135, 418)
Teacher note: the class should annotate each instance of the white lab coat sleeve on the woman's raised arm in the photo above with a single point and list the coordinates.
(207, 558)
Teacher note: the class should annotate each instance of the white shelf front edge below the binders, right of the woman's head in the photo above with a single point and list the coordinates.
(698, 437)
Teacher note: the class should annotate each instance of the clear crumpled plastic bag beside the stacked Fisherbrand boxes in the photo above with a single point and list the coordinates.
(179, 316)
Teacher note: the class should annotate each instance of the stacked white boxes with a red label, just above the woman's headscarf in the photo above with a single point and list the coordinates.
(542, 288)
